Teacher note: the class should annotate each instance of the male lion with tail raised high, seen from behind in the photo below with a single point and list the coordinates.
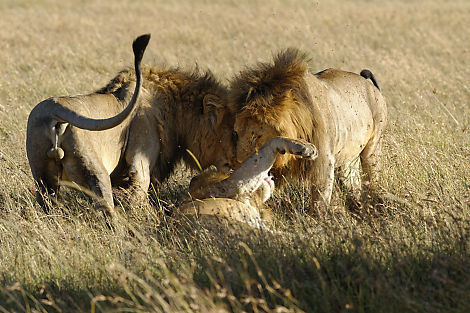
(172, 115)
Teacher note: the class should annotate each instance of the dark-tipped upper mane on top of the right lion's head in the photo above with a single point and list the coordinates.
(265, 85)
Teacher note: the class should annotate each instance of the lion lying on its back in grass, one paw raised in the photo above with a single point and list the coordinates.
(238, 197)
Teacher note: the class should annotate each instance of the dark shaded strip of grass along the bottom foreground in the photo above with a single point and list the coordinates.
(264, 272)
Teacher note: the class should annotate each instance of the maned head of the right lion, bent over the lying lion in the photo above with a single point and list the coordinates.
(265, 100)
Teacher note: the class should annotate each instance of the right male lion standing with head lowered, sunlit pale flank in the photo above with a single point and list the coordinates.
(341, 113)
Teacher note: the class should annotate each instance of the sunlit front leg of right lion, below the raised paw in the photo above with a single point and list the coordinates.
(322, 180)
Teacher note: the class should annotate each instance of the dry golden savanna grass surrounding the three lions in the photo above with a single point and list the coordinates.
(410, 252)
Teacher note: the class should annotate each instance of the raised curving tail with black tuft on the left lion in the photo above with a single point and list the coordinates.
(65, 115)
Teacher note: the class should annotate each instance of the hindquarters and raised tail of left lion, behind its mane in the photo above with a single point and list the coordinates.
(62, 143)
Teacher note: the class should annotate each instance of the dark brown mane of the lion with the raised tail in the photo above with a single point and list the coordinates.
(175, 99)
